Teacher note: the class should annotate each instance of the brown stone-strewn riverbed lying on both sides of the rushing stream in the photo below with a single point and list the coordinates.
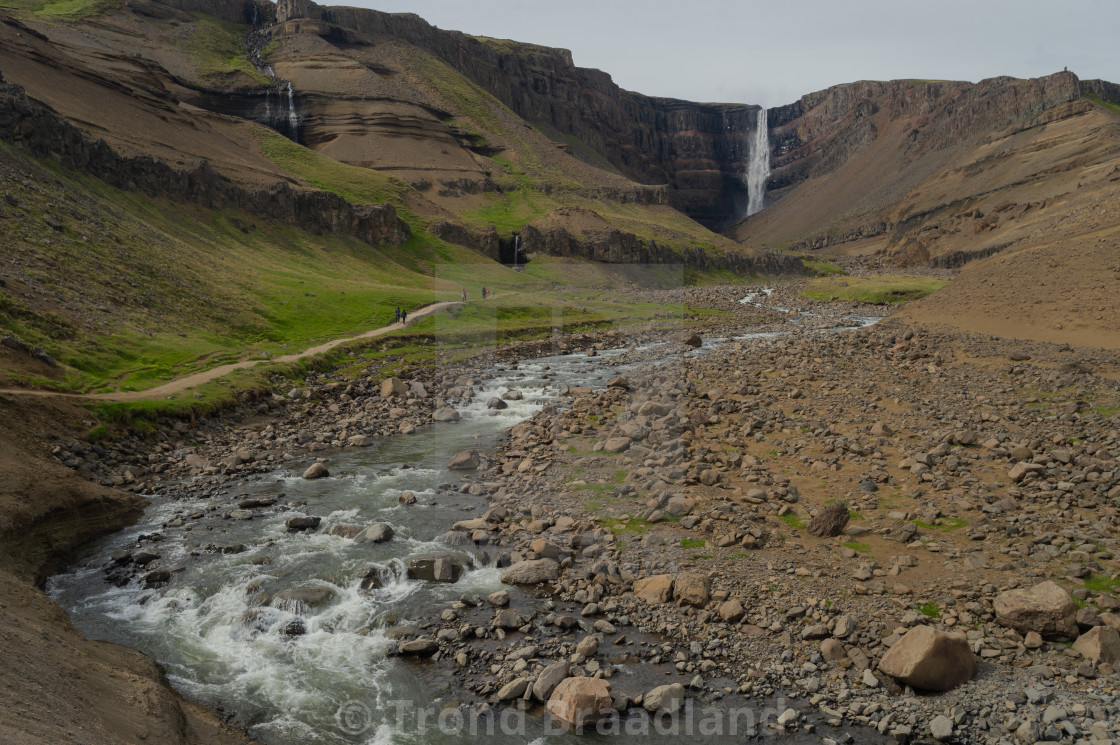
(767, 519)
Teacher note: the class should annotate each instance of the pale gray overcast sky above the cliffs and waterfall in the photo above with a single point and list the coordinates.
(772, 53)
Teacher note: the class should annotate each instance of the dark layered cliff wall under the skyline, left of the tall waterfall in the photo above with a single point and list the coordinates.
(699, 151)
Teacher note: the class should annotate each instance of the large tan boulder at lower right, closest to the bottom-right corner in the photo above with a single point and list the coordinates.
(930, 660)
